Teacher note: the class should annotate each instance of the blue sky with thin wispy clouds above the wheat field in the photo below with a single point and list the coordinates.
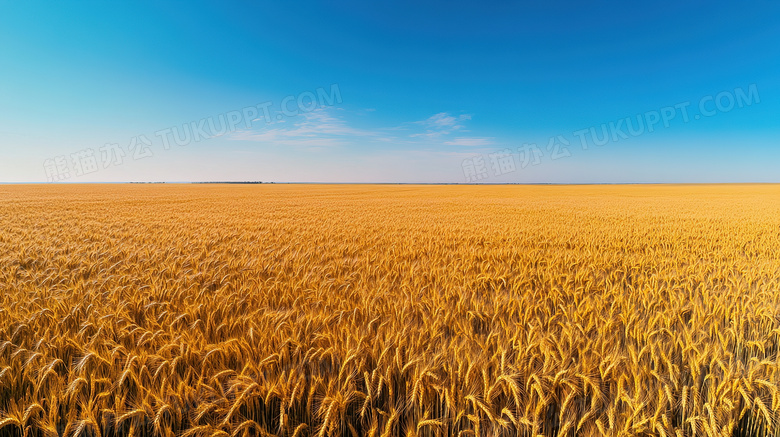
(390, 91)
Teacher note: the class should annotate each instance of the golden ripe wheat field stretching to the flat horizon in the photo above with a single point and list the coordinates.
(371, 310)
